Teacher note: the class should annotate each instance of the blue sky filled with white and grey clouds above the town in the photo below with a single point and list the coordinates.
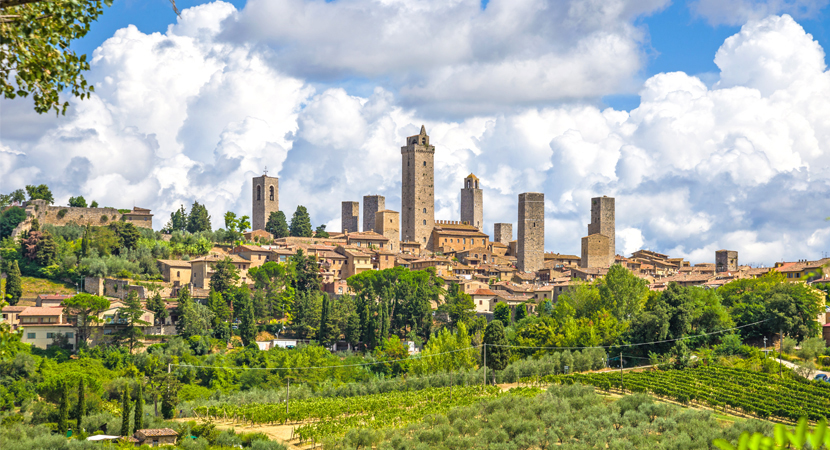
(708, 120)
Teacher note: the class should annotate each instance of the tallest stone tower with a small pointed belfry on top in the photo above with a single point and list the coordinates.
(418, 190)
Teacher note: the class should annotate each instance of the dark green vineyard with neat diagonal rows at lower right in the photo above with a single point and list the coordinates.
(754, 393)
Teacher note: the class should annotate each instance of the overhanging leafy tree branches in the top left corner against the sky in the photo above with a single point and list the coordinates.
(36, 42)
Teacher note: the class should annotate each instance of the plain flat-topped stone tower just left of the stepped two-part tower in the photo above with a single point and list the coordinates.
(530, 248)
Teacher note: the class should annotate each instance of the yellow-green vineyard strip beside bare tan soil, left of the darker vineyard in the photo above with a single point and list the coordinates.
(319, 418)
